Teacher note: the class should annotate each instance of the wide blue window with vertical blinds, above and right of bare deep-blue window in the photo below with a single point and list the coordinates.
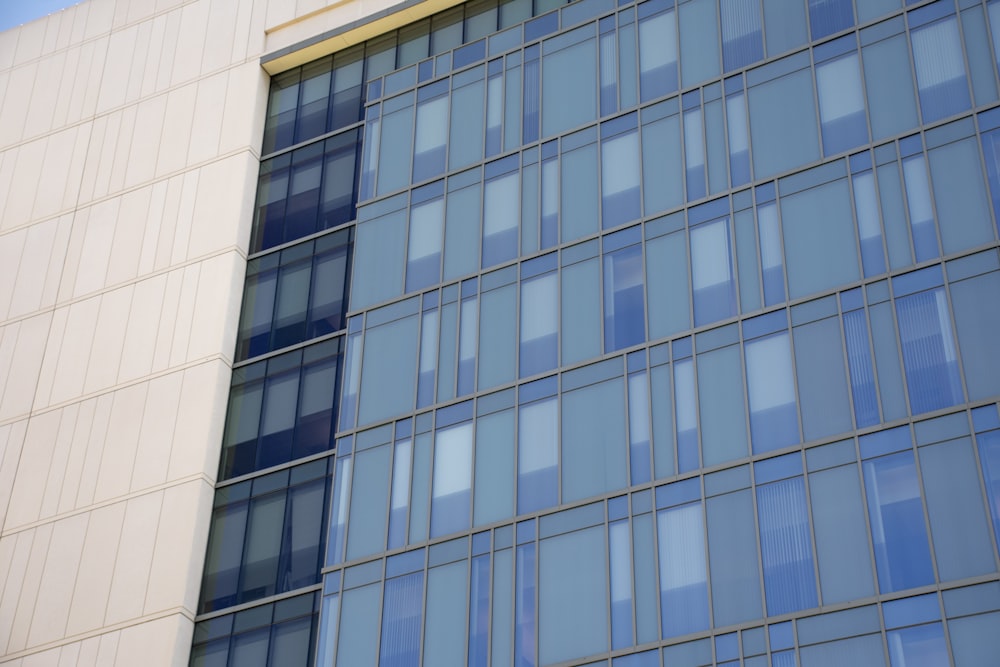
(929, 355)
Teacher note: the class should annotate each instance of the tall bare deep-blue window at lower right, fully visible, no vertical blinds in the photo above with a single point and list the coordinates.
(896, 515)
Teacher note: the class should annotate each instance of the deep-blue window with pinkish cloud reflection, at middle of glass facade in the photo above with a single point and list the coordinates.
(624, 310)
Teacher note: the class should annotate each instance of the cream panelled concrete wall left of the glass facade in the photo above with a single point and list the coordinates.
(129, 138)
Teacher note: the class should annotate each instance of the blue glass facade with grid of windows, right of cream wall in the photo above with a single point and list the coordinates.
(622, 334)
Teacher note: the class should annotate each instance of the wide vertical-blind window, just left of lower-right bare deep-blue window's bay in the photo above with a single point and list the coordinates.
(786, 548)
